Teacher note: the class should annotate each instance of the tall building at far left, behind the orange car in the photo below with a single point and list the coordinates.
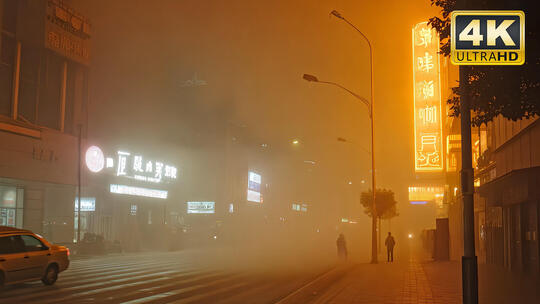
(44, 57)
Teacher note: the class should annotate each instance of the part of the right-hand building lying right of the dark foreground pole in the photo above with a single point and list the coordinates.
(508, 183)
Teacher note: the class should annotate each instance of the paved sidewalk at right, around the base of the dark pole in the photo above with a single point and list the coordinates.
(413, 280)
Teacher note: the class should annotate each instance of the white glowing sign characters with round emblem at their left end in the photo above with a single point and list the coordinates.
(134, 166)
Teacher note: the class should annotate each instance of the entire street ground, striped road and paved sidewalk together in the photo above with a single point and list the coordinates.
(189, 277)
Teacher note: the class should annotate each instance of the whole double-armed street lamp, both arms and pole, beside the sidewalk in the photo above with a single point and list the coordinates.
(369, 104)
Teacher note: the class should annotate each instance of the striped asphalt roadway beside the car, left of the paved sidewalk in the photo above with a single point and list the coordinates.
(178, 277)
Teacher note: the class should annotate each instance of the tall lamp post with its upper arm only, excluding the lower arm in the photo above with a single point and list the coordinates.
(374, 188)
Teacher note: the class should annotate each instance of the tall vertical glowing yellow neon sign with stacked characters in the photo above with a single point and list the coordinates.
(427, 99)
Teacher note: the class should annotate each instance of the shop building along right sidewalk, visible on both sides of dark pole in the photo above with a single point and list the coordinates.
(506, 159)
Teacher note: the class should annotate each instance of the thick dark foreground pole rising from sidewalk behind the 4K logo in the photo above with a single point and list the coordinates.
(469, 263)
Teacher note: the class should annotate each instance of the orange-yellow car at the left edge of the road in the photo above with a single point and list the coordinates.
(26, 256)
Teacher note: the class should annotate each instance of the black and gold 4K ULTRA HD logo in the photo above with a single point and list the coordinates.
(488, 37)
